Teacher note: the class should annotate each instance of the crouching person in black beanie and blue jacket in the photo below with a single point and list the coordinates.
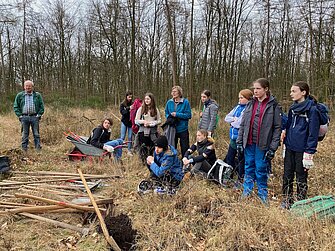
(165, 167)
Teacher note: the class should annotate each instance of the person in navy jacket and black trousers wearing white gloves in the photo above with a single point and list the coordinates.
(301, 140)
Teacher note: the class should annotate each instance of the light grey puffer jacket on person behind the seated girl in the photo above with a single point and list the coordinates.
(209, 114)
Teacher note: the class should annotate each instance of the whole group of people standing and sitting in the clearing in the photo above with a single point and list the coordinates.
(257, 128)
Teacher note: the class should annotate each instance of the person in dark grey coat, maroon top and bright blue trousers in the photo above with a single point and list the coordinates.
(259, 138)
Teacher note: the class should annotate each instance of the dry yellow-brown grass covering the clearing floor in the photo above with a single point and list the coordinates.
(202, 216)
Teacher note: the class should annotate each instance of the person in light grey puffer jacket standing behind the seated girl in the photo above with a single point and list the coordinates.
(208, 116)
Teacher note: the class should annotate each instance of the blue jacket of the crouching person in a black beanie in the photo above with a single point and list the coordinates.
(167, 161)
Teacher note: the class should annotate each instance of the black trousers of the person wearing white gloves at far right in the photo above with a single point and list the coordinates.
(293, 167)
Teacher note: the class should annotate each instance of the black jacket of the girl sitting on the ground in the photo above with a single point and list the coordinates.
(205, 149)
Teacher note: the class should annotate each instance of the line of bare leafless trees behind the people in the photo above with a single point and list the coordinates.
(77, 50)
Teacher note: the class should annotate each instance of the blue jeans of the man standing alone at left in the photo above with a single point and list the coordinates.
(26, 122)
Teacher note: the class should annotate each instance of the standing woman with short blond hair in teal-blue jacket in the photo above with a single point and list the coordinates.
(179, 108)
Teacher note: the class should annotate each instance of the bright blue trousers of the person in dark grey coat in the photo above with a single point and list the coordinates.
(256, 169)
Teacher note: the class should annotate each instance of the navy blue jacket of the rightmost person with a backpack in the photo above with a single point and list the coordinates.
(302, 128)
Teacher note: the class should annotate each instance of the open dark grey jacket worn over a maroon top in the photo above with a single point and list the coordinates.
(270, 125)
